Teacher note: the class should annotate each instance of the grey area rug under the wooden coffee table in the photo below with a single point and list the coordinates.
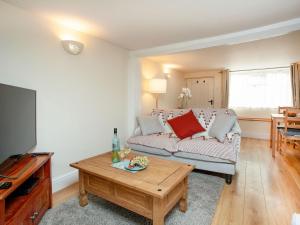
(204, 193)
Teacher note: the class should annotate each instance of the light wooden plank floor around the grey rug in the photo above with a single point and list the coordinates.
(265, 191)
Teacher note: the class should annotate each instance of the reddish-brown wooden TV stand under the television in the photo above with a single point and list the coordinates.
(27, 209)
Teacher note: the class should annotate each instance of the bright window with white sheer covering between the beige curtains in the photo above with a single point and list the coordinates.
(266, 88)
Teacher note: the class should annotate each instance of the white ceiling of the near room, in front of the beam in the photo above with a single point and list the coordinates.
(139, 24)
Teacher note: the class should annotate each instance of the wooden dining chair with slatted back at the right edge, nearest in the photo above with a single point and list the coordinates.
(291, 131)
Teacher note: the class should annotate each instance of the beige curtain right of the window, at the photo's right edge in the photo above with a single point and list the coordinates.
(295, 79)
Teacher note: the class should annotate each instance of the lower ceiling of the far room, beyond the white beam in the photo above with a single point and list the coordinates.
(272, 52)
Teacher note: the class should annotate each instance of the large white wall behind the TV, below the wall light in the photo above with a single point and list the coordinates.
(80, 99)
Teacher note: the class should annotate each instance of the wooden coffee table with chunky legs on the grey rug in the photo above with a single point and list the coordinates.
(152, 192)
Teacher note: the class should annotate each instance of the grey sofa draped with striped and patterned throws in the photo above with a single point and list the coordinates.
(203, 152)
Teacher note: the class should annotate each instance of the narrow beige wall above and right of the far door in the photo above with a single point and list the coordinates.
(217, 89)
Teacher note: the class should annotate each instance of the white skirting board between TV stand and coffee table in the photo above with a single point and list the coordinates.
(64, 181)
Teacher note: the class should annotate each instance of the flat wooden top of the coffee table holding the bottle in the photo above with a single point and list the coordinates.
(158, 179)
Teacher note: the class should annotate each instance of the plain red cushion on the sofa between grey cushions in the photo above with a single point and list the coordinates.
(186, 125)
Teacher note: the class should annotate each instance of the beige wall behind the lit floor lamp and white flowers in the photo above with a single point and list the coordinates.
(151, 69)
